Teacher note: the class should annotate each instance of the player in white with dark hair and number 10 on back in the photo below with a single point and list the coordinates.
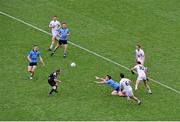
(141, 70)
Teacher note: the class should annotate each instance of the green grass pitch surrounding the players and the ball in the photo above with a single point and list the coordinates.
(110, 28)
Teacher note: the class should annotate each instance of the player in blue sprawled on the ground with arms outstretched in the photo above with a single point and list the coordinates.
(108, 80)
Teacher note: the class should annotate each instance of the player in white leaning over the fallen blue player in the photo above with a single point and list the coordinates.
(127, 89)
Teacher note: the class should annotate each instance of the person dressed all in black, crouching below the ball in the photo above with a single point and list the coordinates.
(53, 81)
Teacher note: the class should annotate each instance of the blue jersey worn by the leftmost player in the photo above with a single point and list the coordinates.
(33, 55)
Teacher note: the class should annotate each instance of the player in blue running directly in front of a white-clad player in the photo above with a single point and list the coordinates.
(63, 34)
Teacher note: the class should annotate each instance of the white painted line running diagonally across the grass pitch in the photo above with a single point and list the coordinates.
(91, 52)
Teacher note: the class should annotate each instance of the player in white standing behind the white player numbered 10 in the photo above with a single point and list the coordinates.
(140, 56)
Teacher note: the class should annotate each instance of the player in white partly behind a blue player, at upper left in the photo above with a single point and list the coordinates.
(54, 25)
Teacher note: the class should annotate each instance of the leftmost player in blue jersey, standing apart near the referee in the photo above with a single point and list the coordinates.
(33, 59)
